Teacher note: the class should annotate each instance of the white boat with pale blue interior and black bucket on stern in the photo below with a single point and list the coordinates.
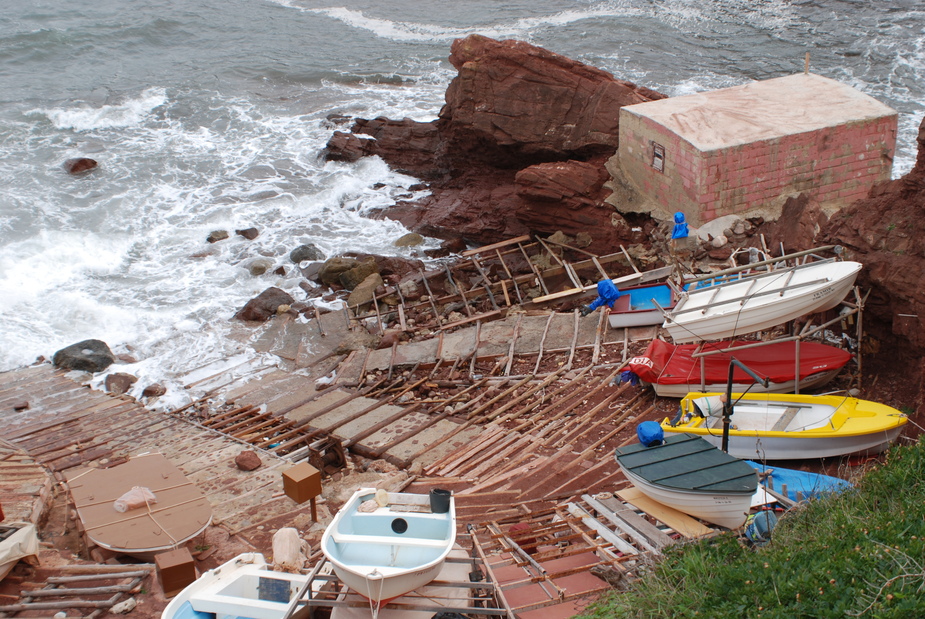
(383, 545)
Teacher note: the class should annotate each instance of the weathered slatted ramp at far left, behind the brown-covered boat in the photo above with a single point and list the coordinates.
(67, 425)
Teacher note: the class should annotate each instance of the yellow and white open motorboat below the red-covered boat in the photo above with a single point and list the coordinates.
(766, 426)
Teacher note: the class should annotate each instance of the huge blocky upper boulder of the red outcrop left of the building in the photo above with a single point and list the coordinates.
(535, 103)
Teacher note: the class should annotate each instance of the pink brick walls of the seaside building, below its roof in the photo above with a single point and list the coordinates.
(835, 166)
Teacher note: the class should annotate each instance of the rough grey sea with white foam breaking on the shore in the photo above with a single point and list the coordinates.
(211, 115)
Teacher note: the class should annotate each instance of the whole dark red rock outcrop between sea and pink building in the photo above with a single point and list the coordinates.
(519, 147)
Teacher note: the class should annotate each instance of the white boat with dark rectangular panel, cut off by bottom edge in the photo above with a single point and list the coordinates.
(243, 587)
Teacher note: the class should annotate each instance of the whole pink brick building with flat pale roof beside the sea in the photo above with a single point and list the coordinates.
(746, 149)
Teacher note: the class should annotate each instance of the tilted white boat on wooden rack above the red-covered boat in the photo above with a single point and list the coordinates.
(715, 311)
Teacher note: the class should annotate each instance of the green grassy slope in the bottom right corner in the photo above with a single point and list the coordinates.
(857, 554)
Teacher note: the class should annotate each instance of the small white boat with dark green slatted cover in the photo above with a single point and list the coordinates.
(691, 475)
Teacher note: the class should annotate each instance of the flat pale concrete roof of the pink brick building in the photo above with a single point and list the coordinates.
(761, 110)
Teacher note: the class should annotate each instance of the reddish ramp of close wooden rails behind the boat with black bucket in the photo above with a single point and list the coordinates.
(558, 445)
